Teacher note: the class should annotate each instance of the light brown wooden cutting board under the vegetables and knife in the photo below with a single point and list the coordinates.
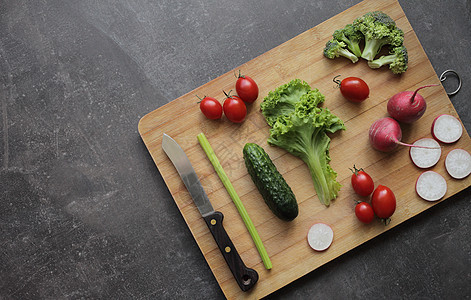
(300, 57)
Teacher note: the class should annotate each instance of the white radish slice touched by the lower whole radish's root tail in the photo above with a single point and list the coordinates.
(425, 157)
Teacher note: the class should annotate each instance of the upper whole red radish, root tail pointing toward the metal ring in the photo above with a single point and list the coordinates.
(408, 106)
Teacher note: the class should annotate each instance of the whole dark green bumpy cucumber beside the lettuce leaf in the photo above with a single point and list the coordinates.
(272, 186)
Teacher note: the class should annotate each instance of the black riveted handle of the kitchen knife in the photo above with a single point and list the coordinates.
(245, 277)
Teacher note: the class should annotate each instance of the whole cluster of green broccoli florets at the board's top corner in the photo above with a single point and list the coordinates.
(375, 30)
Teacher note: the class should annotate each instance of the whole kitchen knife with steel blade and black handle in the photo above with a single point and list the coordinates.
(245, 277)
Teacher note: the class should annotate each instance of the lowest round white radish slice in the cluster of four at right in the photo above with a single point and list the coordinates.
(431, 186)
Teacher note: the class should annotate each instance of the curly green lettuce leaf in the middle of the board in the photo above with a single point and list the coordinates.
(302, 130)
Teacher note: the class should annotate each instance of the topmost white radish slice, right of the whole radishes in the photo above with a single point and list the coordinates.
(447, 129)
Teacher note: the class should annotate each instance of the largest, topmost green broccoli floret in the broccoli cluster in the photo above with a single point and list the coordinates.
(379, 30)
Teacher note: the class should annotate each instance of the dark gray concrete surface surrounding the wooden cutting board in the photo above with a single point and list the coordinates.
(84, 212)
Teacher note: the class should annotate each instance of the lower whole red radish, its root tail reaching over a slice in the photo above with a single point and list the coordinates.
(385, 134)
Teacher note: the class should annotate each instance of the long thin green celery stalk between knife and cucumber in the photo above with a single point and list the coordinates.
(235, 198)
